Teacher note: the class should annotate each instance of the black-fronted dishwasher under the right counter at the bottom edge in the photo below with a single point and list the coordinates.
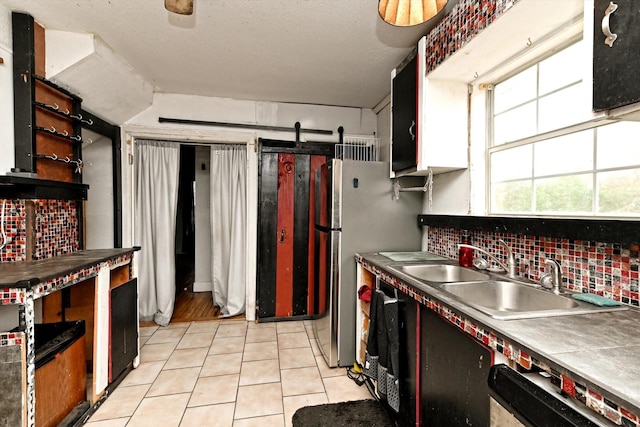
(517, 400)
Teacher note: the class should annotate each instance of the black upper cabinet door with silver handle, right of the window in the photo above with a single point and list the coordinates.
(615, 68)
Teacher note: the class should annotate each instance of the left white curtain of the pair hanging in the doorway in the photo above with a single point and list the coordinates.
(156, 202)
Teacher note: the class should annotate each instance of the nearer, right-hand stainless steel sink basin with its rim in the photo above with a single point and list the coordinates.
(504, 300)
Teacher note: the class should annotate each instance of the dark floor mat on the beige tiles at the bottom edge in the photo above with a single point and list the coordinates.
(364, 413)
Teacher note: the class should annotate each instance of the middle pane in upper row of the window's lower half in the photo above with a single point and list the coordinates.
(565, 154)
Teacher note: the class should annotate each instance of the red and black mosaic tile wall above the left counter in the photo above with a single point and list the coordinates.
(56, 226)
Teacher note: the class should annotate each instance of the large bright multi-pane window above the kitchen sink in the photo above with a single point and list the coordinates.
(578, 171)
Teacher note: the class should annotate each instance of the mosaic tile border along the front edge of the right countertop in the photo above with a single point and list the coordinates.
(567, 385)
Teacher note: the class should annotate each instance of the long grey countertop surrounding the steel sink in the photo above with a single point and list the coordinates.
(600, 350)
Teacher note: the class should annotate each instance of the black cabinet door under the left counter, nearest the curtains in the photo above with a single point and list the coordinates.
(124, 327)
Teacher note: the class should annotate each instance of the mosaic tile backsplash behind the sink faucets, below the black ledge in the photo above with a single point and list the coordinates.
(607, 269)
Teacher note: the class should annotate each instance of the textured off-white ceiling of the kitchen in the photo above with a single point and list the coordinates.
(329, 52)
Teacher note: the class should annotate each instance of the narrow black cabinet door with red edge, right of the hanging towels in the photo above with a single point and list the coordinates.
(408, 323)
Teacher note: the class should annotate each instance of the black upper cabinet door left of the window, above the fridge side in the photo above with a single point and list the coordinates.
(404, 117)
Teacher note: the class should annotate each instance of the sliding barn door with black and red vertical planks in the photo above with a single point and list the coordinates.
(285, 230)
